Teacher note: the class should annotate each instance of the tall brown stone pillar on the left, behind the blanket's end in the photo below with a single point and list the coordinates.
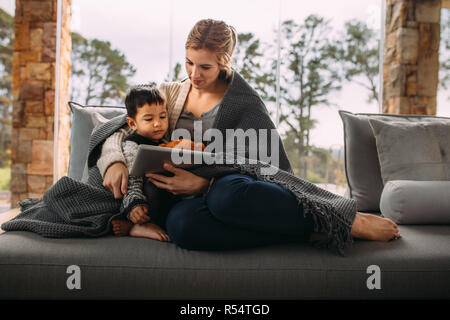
(34, 82)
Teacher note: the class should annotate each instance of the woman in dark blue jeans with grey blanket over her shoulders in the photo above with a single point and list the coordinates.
(236, 211)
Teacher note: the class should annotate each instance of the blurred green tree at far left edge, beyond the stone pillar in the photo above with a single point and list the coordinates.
(6, 58)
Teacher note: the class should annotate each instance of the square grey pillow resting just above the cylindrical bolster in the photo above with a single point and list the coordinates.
(413, 151)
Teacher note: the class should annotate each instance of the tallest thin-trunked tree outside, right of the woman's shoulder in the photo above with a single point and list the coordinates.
(309, 75)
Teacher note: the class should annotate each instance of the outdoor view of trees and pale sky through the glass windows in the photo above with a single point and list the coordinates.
(327, 52)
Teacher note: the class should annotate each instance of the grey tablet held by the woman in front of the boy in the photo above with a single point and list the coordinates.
(152, 158)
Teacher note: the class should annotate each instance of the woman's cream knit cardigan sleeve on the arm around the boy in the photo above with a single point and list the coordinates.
(112, 149)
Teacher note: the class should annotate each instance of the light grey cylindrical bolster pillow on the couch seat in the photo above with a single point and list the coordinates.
(416, 202)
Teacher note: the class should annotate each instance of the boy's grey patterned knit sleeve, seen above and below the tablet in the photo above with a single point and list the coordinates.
(135, 195)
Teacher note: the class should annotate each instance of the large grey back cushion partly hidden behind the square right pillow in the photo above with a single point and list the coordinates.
(361, 158)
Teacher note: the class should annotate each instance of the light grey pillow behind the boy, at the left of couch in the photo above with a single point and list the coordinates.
(84, 120)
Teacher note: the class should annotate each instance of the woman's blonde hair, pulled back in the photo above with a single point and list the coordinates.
(216, 36)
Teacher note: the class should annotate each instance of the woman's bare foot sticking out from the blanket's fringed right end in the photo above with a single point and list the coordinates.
(373, 227)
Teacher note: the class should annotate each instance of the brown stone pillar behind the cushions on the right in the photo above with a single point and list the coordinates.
(411, 56)
